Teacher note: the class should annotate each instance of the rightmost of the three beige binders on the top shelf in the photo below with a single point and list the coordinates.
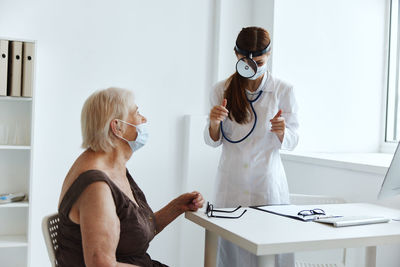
(27, 68)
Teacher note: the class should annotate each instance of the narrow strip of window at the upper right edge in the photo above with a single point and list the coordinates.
(392, 133)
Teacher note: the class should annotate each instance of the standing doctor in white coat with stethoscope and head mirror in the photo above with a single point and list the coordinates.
(253, 116)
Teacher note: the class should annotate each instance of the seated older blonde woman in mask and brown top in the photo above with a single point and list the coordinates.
(104, 216)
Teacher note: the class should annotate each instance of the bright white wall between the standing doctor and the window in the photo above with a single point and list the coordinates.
(333, 52)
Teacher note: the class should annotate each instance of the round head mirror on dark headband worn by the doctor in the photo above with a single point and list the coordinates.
(246, 66)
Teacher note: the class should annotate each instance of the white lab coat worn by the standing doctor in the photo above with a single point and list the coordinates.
(251, 172)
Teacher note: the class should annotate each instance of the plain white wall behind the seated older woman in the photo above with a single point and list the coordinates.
(159, 49)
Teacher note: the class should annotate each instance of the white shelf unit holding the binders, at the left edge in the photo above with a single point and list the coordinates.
(16, 125)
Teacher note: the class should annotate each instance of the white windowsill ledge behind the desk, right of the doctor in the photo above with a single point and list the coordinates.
(363, 162)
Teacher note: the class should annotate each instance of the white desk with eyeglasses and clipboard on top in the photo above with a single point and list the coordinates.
(266, 234)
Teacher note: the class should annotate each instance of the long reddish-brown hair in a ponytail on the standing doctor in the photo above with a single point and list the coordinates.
(250, 39)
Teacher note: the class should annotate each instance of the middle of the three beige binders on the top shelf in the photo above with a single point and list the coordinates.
(15, 69)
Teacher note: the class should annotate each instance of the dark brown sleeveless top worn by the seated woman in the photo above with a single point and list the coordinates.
(137, 224)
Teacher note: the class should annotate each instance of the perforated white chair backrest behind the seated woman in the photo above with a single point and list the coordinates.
(50, 233)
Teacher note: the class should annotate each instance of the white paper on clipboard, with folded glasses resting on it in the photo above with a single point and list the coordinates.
(291, 211)
